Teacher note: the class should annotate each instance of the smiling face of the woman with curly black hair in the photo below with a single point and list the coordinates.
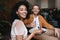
(22, 11)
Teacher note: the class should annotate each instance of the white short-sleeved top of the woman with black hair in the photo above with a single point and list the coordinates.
(22, 31)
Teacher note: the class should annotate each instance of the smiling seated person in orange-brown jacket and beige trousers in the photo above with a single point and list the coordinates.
(37, 22)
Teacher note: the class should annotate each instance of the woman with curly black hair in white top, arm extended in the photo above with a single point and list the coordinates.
(19, 31)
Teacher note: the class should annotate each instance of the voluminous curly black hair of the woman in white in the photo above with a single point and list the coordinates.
(15, 8)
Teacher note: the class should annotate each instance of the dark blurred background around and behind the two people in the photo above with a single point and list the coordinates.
(50, 10)
